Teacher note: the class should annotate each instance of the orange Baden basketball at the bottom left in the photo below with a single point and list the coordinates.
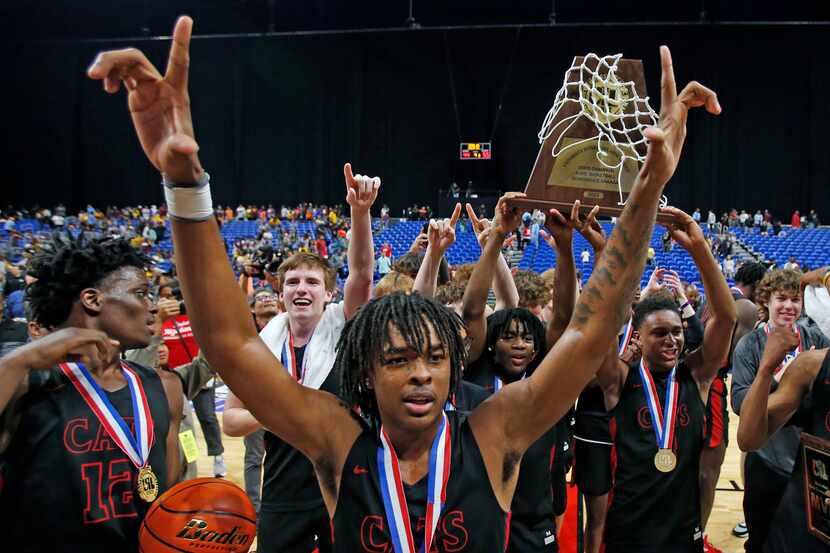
(205, 514)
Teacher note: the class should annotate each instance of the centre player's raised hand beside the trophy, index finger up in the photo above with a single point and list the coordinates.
(666, 139)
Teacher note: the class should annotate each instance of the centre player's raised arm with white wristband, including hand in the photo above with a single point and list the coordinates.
(310, 420)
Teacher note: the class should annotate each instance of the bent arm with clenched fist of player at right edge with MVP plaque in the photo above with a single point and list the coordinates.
(762, 413)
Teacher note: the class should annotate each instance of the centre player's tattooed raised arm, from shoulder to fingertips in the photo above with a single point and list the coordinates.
(507, 426)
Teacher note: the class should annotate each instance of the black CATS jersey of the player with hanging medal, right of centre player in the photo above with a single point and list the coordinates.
(651, 510)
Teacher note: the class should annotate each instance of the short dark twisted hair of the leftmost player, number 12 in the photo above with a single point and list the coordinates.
(65, 266)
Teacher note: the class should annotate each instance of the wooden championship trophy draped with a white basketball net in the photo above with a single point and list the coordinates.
(592, 138)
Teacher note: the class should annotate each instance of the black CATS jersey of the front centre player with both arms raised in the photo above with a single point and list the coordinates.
(471, 522)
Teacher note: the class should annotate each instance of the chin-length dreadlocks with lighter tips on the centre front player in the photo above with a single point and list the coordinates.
(367, 334)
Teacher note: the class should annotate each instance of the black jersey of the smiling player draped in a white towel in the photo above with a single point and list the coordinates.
(288, 481)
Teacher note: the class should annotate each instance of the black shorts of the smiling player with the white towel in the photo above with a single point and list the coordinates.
(281, 531)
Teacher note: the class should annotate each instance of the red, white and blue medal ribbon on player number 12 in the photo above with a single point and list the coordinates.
(137, 447)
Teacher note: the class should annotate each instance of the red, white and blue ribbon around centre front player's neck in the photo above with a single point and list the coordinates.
(394, 498)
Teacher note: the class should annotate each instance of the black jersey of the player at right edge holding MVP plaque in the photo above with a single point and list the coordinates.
(788, 532)
